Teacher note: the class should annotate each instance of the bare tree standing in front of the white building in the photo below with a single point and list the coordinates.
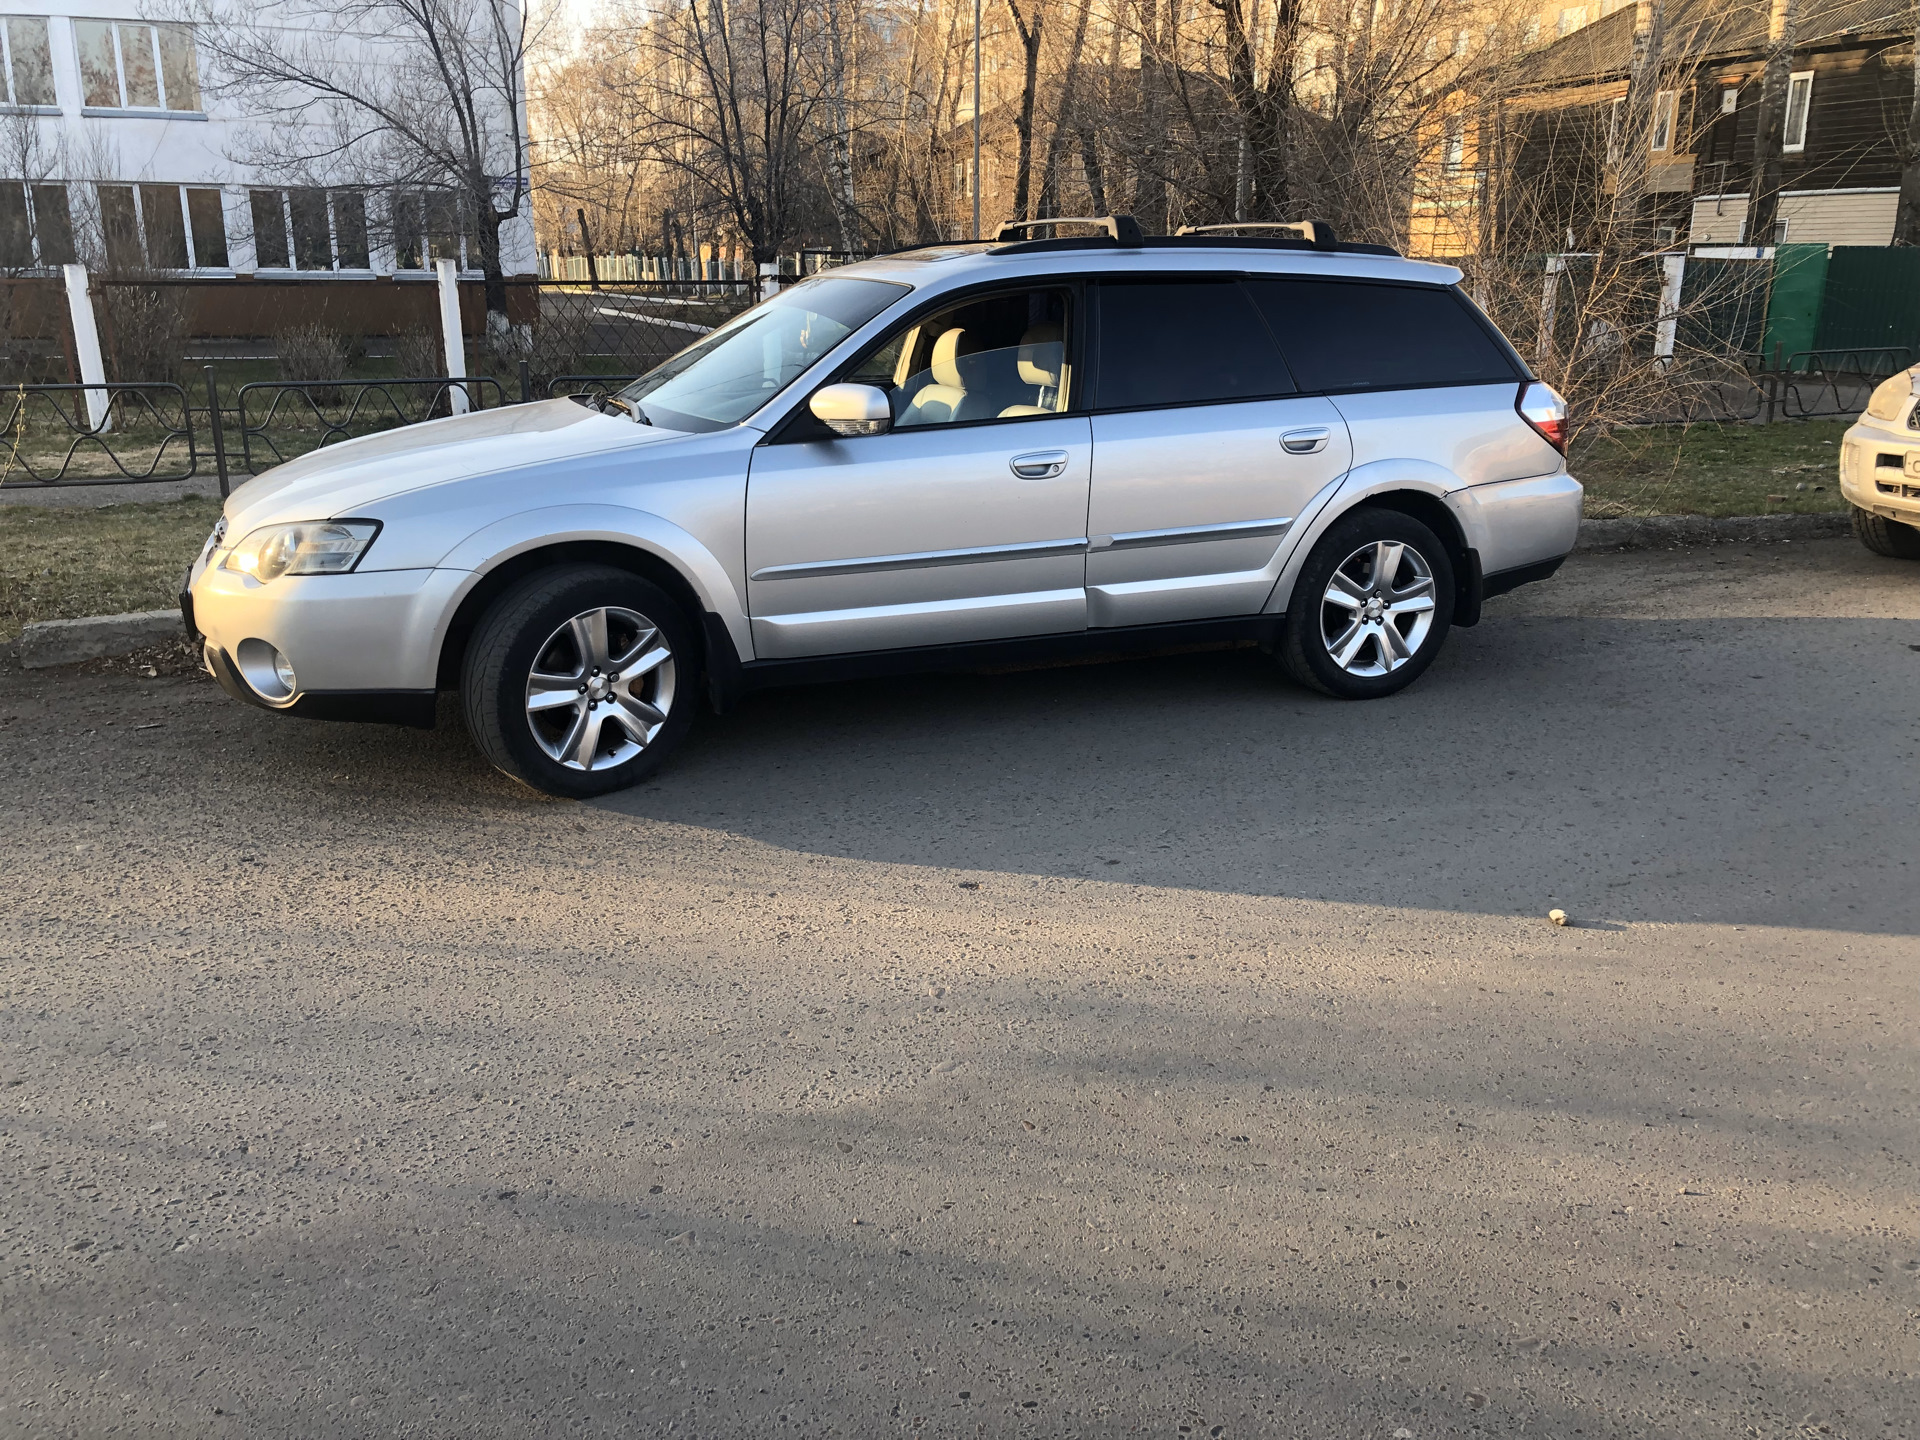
(427, 95)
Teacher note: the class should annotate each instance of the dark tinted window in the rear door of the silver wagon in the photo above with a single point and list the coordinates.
(1184, 343)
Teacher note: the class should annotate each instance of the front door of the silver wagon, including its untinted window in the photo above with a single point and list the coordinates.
(965, 521)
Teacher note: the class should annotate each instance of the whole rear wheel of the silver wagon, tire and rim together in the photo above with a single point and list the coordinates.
(1312, 621)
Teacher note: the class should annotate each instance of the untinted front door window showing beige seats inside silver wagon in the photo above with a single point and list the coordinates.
(996, 358)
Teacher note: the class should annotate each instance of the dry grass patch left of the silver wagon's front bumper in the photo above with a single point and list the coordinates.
(72, 562)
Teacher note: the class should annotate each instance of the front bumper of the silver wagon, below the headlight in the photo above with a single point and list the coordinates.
(364, 646)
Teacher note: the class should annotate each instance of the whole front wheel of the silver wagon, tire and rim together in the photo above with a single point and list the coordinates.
(527, 625)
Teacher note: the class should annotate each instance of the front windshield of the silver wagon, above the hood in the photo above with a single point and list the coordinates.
(734, 372)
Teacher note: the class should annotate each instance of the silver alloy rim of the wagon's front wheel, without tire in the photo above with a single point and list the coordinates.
(600, 688)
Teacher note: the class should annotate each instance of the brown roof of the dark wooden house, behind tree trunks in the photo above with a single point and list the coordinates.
(1704, 30)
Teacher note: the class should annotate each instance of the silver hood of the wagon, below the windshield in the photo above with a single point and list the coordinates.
(347, 479)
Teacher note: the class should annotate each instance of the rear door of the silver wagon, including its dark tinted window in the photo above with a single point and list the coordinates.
(1205, 452)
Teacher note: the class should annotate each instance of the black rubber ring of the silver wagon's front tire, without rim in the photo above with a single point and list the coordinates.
(535, 627)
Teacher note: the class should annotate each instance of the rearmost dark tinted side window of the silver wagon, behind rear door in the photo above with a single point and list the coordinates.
(1380, 337)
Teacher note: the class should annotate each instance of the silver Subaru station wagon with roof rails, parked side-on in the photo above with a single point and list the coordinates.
(946, 458)
